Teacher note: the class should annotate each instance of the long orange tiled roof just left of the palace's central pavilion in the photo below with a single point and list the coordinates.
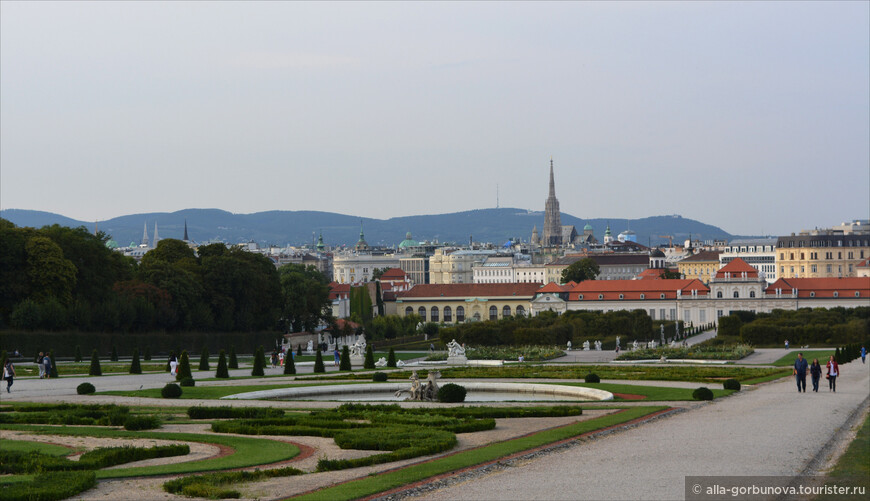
(632, 289)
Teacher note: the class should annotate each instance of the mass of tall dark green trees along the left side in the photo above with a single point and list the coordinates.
(59, 278)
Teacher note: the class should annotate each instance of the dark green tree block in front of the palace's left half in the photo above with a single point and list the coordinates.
(550, 328)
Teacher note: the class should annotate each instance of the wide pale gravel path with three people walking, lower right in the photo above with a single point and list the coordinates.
(767, 430)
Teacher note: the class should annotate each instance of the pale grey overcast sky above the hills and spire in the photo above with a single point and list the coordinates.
(751, 116)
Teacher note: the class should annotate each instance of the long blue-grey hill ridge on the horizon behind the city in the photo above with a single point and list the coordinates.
(300, 227)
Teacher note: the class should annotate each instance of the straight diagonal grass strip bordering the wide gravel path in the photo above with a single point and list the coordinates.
(390, 480)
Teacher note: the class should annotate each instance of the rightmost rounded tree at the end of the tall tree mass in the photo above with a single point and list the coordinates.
(306, 296)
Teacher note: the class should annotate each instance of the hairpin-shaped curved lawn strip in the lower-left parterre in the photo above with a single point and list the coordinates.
(247, 451)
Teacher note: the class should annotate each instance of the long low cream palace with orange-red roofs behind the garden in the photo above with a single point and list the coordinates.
(736, 286)
